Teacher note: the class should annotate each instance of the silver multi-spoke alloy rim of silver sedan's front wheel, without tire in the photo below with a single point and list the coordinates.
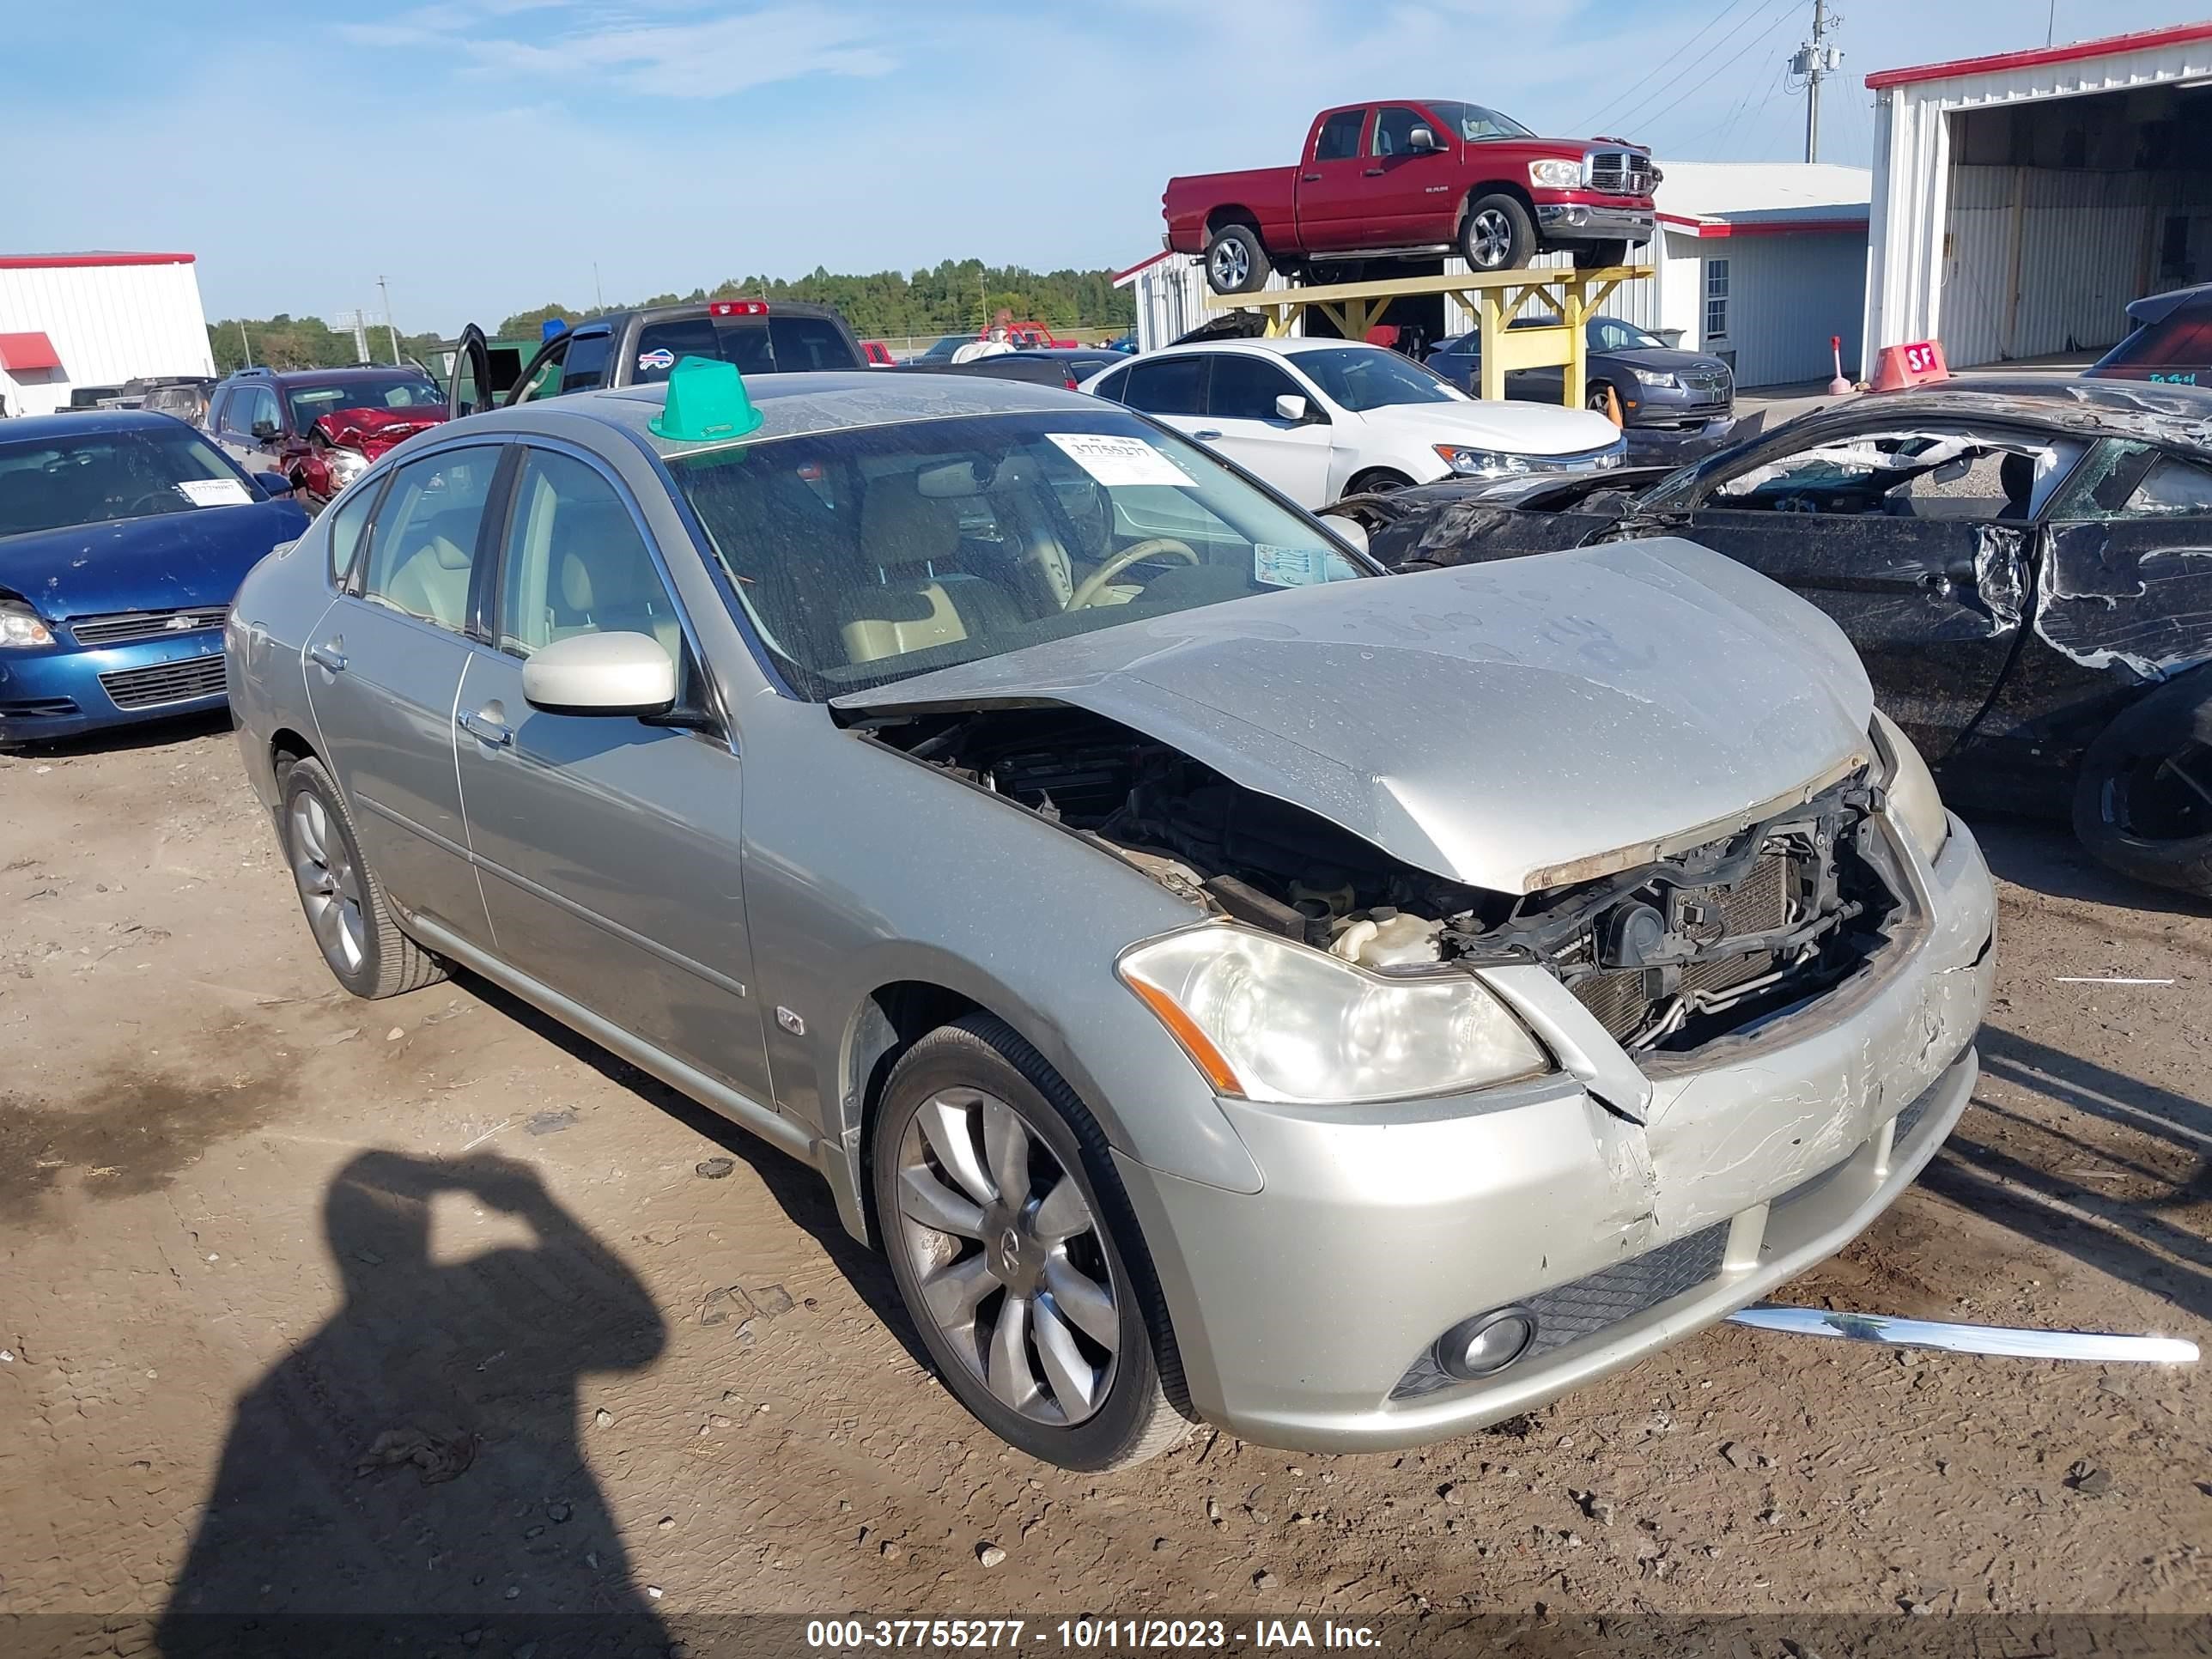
(1010, 1258)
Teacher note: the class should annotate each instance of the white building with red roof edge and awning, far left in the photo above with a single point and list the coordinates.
(96, 320)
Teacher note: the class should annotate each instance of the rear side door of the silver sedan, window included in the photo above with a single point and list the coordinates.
(384, 676)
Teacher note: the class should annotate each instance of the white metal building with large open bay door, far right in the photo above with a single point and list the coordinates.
(2023, 200)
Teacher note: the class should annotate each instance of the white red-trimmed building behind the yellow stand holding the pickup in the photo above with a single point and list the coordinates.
(1757, 262)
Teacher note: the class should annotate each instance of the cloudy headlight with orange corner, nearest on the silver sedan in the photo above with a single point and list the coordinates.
(1277, 1021)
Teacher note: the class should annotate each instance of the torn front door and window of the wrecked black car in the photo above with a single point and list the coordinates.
(1923, 570)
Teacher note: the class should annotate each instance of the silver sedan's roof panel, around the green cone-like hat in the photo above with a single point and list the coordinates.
(800, 404)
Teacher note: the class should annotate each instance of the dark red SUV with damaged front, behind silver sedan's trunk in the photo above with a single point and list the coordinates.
(320, 428)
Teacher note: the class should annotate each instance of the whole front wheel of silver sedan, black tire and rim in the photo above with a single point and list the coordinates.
(1019, 1255)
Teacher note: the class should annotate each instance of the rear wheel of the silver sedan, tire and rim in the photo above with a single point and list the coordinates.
(342, 897)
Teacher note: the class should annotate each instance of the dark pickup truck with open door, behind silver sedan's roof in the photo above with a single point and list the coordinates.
(640, 348)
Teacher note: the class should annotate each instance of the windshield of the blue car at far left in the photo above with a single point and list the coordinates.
(105, 477)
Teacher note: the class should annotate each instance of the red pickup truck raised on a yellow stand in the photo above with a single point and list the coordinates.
(1417, 176)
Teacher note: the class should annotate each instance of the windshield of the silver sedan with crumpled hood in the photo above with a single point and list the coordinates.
(875, 554)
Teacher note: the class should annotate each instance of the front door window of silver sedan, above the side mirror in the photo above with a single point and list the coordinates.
(576, 563)
